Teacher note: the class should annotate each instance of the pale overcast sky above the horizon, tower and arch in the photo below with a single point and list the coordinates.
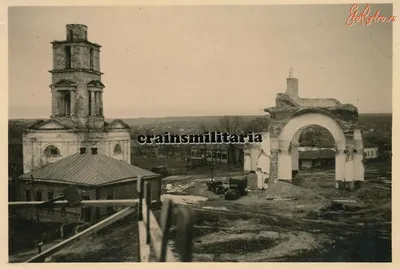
(211, 60)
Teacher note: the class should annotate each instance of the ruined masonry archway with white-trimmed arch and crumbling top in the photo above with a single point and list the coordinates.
(277, 157)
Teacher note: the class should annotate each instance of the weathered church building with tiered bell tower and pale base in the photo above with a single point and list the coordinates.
(77, 118)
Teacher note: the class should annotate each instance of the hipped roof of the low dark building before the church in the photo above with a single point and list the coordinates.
(89, 170)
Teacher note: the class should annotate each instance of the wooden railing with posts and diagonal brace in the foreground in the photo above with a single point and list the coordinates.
(151, 237)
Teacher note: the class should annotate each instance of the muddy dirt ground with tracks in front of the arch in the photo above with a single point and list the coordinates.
(309, 226)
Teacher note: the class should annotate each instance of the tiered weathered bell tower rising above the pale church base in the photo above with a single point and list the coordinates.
(77, 90)
